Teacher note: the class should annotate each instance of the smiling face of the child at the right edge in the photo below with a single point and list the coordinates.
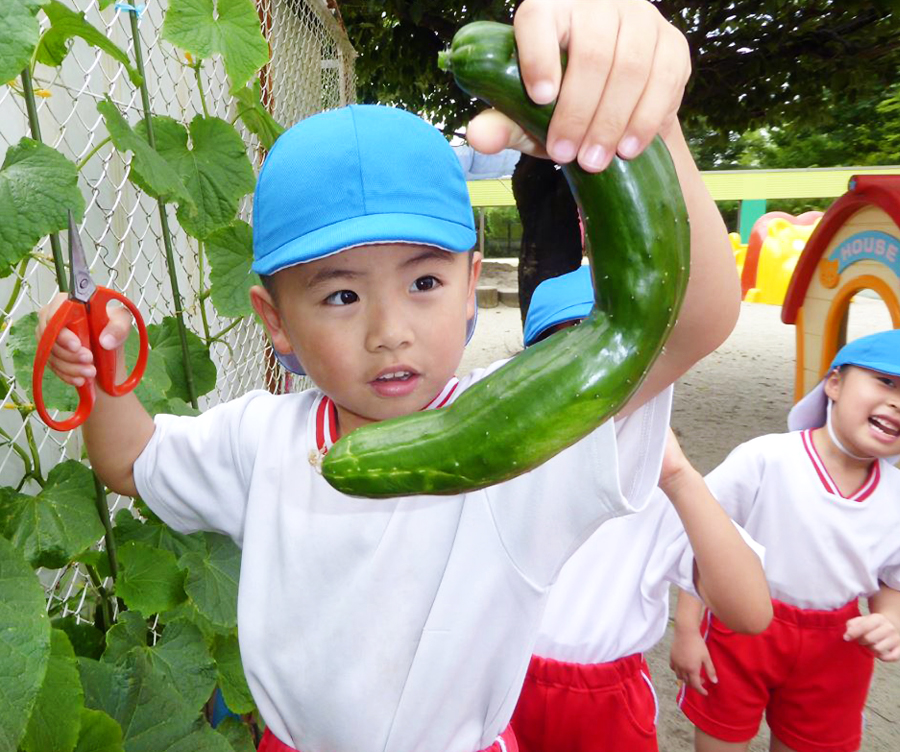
(866, 410)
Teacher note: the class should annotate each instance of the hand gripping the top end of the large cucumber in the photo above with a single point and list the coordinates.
(625, 77)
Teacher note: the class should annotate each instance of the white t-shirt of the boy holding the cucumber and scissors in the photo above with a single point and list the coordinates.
(393, 624)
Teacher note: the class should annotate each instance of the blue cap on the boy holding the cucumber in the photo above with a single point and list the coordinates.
(357, 175)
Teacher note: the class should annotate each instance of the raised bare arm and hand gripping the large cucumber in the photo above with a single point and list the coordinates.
(625, 76)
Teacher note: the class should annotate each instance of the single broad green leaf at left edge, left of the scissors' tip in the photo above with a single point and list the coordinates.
(38, 186)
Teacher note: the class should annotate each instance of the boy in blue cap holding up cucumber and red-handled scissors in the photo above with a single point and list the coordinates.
(407, 624)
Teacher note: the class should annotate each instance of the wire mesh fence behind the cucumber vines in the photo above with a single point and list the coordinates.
(311, 69)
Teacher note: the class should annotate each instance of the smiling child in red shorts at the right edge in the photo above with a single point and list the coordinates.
(825, 502)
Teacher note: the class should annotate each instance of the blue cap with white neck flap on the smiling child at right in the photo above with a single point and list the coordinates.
(877, 352)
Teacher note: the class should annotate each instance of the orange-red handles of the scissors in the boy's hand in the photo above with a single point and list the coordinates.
(88, 323)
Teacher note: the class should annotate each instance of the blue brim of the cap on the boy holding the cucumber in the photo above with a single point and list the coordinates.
(367, 230)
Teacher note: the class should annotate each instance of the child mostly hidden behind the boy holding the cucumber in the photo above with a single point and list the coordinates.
(588, 687)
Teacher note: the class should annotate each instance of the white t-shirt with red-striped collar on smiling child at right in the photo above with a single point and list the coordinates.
(822, 549)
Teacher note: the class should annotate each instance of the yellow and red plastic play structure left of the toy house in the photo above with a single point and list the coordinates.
(776, 242)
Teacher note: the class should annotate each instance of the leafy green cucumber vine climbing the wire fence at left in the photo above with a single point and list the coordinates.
(156, 631)
